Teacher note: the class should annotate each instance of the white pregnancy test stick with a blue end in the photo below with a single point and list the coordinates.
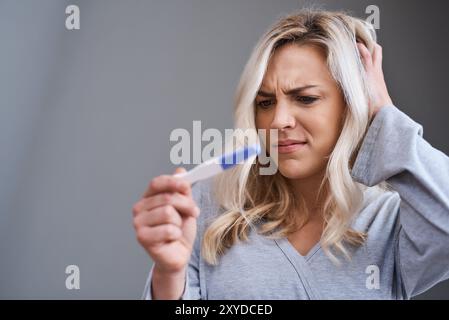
(219, 164)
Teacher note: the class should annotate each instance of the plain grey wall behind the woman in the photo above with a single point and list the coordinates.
(85, 118)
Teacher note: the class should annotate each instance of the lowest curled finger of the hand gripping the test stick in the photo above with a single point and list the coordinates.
(150, 236)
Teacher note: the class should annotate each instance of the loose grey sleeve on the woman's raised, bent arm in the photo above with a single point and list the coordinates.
(394, 150)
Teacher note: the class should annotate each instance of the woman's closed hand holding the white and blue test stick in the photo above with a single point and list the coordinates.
(165, 223)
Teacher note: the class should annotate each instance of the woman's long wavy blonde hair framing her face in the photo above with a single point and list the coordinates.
(276, 211)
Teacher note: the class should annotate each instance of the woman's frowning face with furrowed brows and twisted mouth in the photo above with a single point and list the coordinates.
(299, 97)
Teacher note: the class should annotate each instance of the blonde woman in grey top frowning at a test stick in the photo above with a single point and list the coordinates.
(359, 206)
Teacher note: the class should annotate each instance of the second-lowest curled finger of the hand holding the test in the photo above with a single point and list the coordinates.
(159, 216)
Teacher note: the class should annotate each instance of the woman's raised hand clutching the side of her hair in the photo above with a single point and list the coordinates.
(375, 76)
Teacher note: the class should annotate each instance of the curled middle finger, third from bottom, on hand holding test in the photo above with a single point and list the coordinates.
(182, 203)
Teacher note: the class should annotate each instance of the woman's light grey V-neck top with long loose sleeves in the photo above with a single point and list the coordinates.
(406, 251)
